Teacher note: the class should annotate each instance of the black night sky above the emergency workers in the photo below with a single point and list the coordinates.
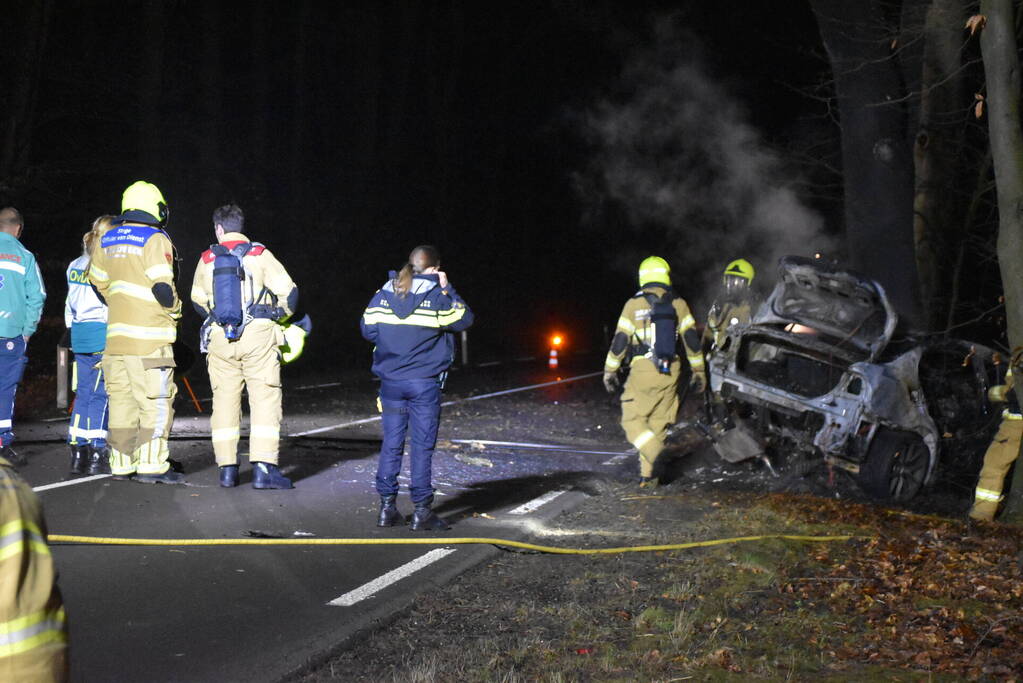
(350, 132)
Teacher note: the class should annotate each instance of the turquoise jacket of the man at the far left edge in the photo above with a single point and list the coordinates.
(22, 291)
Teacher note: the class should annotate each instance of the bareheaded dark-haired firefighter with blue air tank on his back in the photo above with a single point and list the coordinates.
(243, 292)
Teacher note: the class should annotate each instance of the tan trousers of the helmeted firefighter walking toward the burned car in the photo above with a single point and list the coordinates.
(650, 404)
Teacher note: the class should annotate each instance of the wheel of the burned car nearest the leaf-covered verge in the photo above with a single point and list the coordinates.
(896, 467)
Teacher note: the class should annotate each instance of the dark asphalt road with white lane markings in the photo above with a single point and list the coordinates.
(243, 613)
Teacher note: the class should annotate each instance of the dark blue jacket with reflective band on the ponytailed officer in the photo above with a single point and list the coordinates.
(414, 334)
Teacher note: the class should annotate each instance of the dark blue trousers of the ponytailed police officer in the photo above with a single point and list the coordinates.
(406, 403)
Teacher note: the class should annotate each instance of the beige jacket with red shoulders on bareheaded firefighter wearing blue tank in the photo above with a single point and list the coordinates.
(268, 284)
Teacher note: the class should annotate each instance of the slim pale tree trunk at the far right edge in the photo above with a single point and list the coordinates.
(1002, 72)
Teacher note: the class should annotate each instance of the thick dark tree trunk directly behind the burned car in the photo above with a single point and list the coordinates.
(876, 159)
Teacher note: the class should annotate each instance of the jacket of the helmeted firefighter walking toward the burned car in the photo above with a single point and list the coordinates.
(635, 333)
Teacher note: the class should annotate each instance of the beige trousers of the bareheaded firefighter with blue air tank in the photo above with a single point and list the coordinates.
(254, 362)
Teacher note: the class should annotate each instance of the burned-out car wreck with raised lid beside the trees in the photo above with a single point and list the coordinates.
(819, 375)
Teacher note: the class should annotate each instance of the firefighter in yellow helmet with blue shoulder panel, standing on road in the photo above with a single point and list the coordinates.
(134, 271)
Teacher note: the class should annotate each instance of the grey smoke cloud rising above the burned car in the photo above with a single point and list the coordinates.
(677, 169)
